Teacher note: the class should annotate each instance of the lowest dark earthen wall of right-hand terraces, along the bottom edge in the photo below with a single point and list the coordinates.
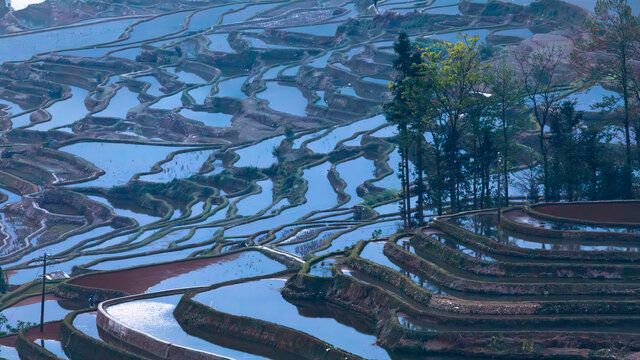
(370, 301)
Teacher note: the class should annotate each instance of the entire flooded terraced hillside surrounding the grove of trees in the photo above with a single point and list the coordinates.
(198, 159)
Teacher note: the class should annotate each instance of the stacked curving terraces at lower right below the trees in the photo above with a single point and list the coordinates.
(515, 290)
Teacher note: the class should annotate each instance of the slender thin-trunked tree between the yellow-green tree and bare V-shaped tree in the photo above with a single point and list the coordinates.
(506, 94)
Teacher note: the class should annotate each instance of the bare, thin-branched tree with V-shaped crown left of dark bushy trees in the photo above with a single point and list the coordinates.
(540, 82)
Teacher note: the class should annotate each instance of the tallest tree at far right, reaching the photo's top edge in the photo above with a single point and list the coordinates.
(613, 33)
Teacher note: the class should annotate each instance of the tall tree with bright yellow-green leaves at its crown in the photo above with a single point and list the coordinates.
(447, 88)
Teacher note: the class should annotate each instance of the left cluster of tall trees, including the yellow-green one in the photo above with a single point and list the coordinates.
(440, 90)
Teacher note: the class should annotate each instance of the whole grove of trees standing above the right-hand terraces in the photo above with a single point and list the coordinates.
(464, 120)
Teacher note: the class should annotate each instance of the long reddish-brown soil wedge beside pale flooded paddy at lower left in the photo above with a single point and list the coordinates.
(136, 281)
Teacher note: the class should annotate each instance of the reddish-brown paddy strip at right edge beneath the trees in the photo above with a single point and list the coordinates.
(604, 212)
